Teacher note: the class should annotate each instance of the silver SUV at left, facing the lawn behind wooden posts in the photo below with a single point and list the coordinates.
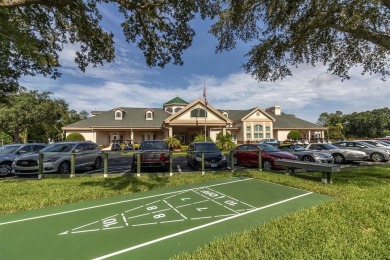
(57, 158)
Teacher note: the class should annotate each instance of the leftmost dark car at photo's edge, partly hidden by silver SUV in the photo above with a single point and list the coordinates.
(9, 152)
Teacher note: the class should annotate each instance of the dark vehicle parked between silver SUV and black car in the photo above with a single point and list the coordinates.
(154, 155)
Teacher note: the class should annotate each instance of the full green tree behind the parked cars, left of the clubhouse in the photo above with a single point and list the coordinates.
(30, 115)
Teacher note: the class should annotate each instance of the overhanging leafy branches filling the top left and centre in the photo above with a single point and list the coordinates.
(34, 32)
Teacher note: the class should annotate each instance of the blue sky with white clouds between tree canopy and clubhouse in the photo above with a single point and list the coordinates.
(128, 82)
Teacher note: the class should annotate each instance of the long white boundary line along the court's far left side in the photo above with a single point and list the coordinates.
(115, 203)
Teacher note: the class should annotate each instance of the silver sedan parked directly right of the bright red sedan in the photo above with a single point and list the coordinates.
(307, 155)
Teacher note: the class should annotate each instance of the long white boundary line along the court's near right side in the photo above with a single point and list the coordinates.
(196, 228)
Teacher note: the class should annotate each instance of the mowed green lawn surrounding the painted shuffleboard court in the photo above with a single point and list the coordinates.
(355, 225)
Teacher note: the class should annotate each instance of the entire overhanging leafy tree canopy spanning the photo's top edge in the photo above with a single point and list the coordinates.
(284, 33)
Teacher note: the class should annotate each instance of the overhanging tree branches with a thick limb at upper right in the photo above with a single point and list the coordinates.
(285, 33)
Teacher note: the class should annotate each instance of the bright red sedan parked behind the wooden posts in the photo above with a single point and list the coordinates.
(248, 154)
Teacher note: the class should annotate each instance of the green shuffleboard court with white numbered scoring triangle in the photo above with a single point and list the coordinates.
(155, 224)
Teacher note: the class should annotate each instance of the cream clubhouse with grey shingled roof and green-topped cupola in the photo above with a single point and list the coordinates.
(183, 120)
